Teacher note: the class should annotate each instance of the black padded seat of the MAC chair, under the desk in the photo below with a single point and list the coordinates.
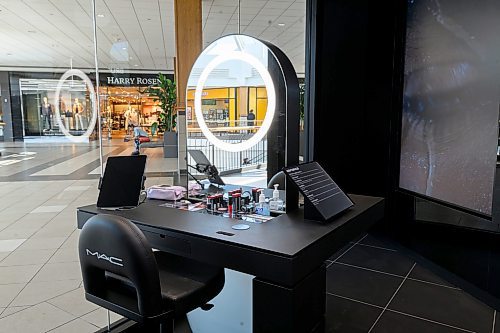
(185, 283)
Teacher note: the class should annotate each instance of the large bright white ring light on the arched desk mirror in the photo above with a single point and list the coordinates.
(271, 101)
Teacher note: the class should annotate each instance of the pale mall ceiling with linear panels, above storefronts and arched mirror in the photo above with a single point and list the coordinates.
(135, 34)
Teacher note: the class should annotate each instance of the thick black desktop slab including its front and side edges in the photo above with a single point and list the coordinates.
(283, 250)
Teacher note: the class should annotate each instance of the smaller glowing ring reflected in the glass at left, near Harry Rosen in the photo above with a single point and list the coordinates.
(90, 128)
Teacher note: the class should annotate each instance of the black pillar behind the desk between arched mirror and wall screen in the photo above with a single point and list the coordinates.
(351, 98)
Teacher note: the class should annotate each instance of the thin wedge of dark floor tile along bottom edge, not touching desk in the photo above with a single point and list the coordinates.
(394, 322)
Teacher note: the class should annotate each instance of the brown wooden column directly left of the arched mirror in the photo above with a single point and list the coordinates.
(188, 44)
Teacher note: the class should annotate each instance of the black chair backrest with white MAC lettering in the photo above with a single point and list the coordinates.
(113, 244)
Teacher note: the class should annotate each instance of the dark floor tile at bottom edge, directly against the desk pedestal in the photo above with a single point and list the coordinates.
(343, 315)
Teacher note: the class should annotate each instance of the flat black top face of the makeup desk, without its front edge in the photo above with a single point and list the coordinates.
(286, 235)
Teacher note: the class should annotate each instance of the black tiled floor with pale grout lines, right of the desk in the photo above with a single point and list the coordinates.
(373, 287)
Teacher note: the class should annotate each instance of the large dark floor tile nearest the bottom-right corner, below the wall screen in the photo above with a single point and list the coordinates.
(445, 305)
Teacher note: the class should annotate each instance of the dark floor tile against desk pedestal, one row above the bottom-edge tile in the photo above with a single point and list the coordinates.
(370, 287)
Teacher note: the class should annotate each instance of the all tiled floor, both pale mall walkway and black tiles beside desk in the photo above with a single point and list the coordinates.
(372, 286)
